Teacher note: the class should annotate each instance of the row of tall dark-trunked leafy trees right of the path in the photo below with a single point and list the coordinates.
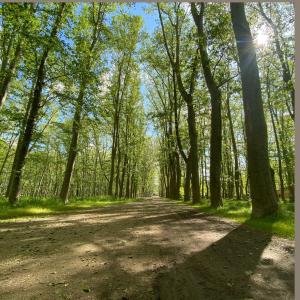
(216, 115)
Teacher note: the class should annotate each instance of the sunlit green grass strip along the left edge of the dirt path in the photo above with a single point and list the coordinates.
(36, 207)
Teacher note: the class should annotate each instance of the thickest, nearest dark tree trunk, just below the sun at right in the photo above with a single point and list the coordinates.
(264, 200)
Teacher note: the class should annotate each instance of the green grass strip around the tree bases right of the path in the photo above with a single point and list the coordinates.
(281, 224)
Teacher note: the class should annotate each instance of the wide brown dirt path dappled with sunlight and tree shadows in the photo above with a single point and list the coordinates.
(151, 249)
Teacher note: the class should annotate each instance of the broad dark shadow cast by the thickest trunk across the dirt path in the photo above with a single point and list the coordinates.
(228, 270)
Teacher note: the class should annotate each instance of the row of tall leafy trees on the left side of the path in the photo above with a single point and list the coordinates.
(70, 91)
